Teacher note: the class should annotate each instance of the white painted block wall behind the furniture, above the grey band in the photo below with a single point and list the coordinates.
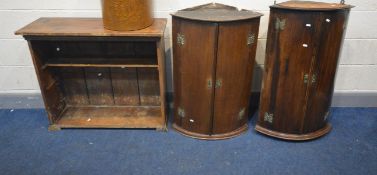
(357, 72)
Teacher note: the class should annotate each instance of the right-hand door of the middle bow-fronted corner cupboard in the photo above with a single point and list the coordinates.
(234, 74)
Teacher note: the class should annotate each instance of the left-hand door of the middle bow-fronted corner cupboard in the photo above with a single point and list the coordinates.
(194, 53)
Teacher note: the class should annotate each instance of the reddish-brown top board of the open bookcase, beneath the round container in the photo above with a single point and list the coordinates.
(85, 27)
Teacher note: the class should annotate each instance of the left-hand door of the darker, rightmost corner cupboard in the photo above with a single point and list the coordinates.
(287, 67)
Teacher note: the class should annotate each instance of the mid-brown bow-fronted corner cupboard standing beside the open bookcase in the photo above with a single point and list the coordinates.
(206, 52)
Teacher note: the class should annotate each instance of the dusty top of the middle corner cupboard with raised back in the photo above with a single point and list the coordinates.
(214, 12)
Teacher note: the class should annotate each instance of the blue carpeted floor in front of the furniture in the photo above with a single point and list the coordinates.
(27, 147)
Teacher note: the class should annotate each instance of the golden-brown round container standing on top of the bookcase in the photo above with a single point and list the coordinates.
(124, 15)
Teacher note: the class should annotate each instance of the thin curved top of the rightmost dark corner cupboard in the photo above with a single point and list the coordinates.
(311, 6)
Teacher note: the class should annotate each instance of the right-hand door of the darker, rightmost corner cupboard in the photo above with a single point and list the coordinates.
(322, 84)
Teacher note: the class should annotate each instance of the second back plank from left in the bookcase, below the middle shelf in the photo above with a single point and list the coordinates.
(99, 86)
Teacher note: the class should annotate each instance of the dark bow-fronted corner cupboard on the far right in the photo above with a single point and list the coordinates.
(300, 67)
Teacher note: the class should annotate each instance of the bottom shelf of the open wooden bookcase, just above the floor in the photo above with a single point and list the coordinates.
(111, 117)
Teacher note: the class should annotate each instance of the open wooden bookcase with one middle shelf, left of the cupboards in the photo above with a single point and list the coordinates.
(91, 77)
